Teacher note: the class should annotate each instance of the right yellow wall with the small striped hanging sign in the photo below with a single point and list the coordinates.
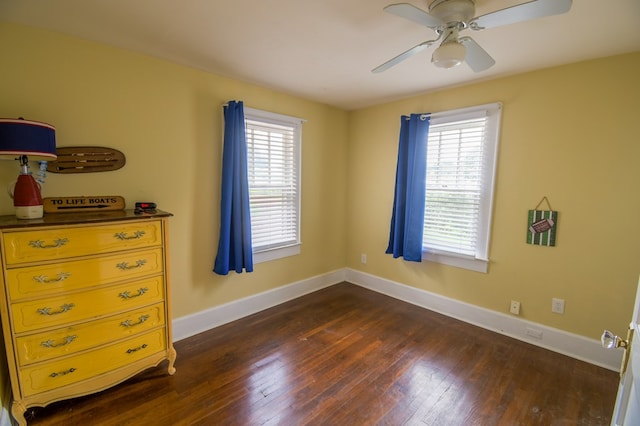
(568, 133)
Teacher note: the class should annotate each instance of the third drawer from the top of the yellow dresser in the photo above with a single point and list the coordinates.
(73, 307)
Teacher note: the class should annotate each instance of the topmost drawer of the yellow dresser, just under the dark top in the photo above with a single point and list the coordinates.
(60, 243)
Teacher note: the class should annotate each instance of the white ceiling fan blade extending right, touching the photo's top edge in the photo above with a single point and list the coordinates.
(522, 12)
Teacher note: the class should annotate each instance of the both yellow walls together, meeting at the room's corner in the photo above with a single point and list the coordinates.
(567, 133)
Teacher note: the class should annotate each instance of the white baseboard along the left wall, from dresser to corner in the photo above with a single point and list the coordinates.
(193, 324)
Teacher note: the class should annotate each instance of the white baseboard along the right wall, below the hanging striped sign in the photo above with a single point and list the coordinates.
(573, 345)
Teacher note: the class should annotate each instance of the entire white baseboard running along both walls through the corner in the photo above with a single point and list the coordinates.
(573, 345)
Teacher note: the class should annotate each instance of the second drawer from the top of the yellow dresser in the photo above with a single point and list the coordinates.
(58, 278)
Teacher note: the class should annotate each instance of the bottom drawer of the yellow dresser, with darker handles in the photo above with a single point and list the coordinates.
(54, 374)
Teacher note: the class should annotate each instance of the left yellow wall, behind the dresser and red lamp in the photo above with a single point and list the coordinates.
(167, 120)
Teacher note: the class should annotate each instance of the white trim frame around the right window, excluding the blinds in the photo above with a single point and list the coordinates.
(479, 262)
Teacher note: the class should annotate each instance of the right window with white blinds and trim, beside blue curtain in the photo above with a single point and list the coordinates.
(461, 158)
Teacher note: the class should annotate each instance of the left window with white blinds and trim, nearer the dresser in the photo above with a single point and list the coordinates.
(273, 154)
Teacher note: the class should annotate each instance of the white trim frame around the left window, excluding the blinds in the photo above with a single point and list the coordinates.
(278, 252)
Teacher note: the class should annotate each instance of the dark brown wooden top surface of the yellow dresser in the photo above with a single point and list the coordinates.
(10, 221)
